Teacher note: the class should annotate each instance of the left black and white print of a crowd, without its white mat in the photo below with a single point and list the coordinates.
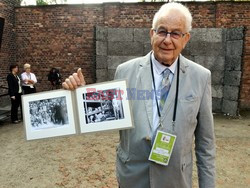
(48, 113)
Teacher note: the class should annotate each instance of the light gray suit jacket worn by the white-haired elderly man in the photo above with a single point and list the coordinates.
(193, 120)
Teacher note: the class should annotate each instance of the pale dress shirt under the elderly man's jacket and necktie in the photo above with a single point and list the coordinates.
(158, 68)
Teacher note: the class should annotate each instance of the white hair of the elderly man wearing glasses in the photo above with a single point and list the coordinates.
(174, 6)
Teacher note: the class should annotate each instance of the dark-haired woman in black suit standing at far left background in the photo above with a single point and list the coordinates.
(15, 92)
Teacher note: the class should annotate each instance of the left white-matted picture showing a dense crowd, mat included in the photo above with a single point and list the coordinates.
(48, 114)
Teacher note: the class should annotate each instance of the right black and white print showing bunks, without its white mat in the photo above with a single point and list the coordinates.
(103, 106)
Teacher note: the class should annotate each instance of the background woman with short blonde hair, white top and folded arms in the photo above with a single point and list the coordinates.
(28, 80)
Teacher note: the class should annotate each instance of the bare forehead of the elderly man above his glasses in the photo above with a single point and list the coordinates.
(172, 20)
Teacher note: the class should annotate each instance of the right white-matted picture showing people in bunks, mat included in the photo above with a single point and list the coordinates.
(103, 106)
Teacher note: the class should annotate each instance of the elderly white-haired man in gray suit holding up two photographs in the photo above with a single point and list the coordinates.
(180, 109)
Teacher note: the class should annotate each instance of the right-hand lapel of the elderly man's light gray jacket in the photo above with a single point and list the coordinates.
(169, 103)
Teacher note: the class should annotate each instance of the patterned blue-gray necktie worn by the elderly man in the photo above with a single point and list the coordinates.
(164, 87)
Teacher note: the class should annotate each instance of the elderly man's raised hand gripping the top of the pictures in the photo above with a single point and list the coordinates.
(74, 81)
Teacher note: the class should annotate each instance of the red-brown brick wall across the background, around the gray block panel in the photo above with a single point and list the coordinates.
(62, 35)
